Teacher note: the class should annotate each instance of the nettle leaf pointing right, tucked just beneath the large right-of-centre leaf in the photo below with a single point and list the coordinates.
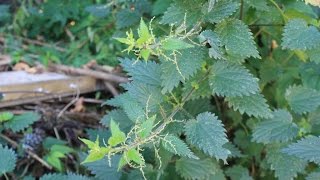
(253, 105)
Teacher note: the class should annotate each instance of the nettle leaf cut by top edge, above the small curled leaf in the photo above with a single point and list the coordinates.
(221, 10)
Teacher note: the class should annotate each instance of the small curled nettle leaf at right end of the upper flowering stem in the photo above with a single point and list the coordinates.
(215, 51)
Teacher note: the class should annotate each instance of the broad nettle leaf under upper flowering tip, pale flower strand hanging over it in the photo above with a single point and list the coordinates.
(174, 71)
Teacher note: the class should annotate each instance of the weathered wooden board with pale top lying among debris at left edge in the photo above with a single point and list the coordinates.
(19, 87)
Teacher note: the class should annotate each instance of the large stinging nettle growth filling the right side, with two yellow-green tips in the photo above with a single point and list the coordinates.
(205, 99)
